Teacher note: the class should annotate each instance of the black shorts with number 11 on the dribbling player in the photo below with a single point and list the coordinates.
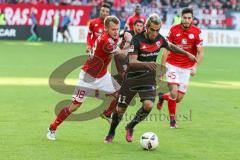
(142, 82)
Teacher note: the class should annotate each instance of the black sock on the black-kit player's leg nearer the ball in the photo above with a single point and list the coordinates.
(140, 116)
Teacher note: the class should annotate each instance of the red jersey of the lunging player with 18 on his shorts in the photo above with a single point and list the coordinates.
(98, 62)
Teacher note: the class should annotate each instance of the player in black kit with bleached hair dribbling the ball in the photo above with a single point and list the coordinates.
(140, 75)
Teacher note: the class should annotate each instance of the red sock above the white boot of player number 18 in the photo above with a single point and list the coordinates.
(62, 115)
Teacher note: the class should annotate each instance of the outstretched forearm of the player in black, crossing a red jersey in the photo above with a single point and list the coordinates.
(177, 50)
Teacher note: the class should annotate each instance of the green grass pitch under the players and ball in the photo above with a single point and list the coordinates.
(209, 131)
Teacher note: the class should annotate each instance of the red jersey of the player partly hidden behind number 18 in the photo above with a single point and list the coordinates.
(96, 28)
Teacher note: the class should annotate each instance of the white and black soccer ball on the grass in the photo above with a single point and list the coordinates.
(149, 141)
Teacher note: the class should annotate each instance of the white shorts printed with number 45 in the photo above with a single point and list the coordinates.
(179, 76)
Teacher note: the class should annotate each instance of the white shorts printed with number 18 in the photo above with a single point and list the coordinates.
(87, 85)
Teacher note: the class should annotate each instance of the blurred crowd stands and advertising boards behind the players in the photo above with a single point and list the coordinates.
(17, 17)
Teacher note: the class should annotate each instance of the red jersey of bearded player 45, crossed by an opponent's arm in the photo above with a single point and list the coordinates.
(188, 40)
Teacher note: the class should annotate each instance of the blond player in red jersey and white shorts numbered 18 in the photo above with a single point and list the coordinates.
(94, 74)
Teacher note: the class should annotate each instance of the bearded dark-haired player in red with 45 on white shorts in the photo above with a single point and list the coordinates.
(179, 66)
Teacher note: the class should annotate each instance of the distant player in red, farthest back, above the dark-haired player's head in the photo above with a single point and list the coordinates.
(133, 18)
